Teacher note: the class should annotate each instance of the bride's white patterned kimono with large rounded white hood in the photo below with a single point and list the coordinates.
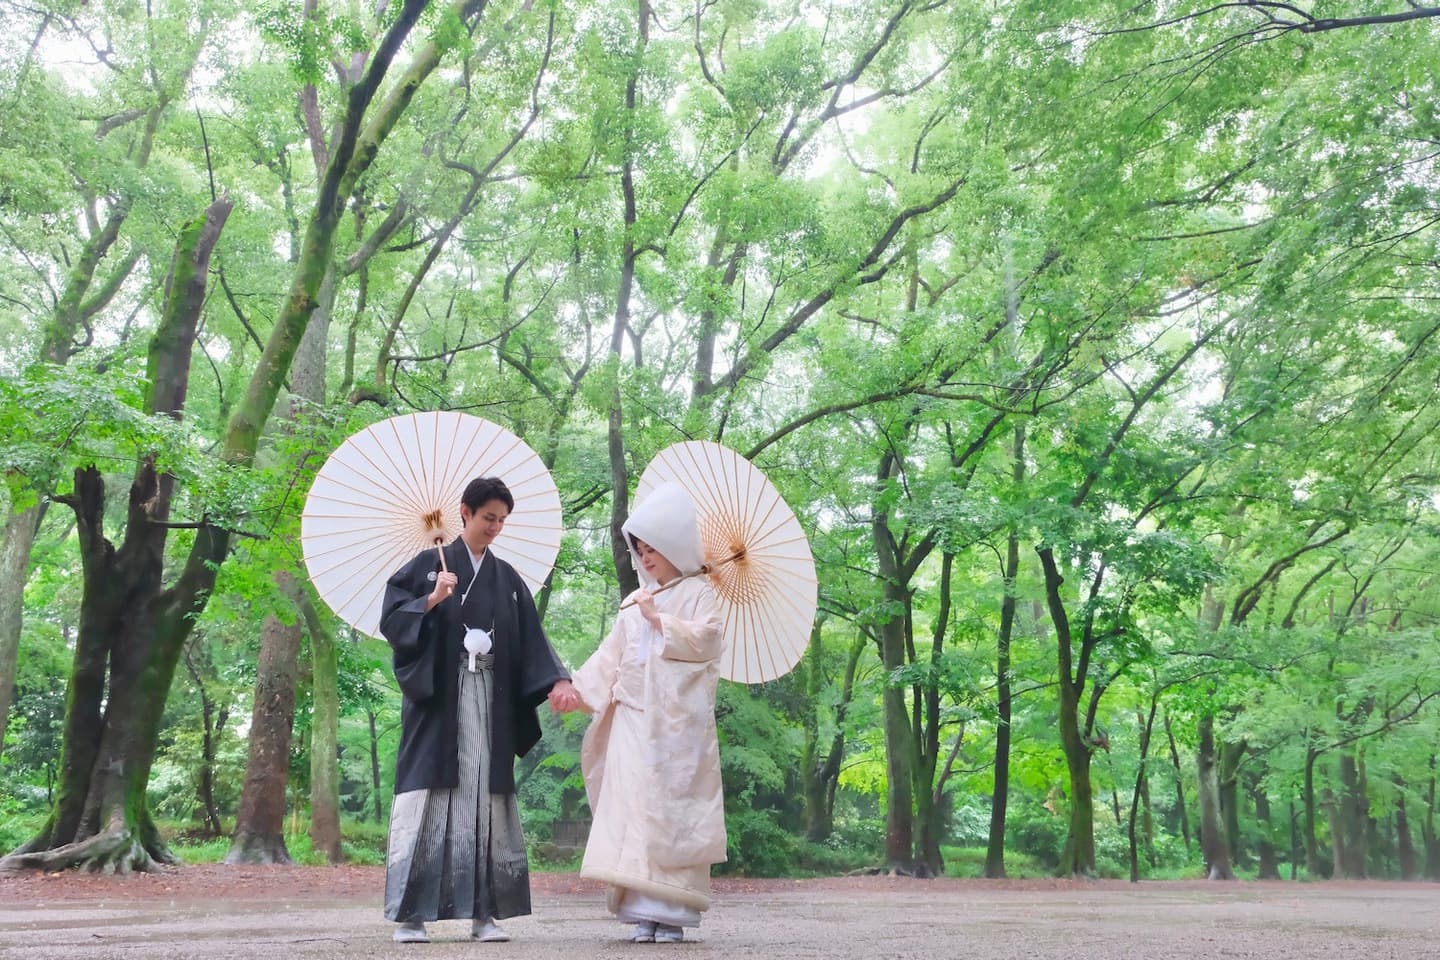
(652, 759)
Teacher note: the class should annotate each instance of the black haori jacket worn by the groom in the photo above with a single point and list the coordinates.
(428, 651)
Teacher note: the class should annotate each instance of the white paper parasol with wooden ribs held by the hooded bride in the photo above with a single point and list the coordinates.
(757, 552)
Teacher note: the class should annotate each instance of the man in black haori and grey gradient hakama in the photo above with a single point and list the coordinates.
(473, 664)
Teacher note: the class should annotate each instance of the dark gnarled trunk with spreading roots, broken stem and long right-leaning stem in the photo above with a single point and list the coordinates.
(114, 797)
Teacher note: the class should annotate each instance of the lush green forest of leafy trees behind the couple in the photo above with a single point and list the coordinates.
(1094, 343)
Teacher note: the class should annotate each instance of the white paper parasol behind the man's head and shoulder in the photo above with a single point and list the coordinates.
(394, 490)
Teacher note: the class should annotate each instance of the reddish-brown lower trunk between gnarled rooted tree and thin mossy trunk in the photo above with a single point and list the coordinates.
(260, 827)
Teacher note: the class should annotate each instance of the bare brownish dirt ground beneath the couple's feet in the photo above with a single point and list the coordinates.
(222, 913)
